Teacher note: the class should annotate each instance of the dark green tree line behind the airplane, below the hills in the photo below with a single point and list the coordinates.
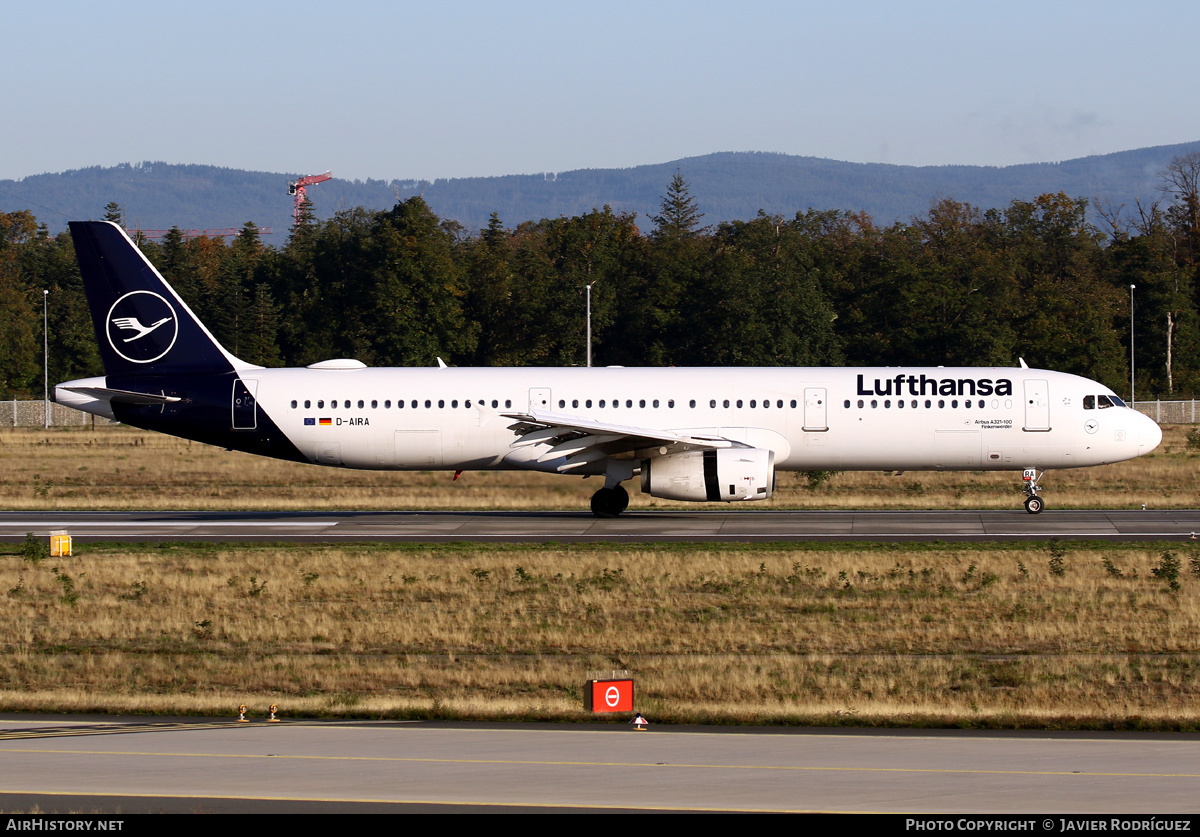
(956, 287)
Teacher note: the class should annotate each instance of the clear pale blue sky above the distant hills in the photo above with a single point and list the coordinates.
(437, 91)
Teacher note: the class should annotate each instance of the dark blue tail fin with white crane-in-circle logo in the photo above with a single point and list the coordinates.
(143, 328)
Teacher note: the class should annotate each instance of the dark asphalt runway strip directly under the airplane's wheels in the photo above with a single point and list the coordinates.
(701, 526)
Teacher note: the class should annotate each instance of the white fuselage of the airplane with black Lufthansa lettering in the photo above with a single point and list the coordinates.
(812, 419)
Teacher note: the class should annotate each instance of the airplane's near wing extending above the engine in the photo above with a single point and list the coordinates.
(580, 442)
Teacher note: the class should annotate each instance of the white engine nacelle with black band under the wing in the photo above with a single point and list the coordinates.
(725, 475)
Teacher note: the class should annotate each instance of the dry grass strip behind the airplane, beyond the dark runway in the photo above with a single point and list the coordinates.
(125, 468)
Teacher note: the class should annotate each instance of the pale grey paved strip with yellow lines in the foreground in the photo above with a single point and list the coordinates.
(134, 766)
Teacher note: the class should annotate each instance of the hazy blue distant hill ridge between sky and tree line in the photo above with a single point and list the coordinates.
(728, 186)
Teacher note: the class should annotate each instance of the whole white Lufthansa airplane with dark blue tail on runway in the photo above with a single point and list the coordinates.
(699, 435)
